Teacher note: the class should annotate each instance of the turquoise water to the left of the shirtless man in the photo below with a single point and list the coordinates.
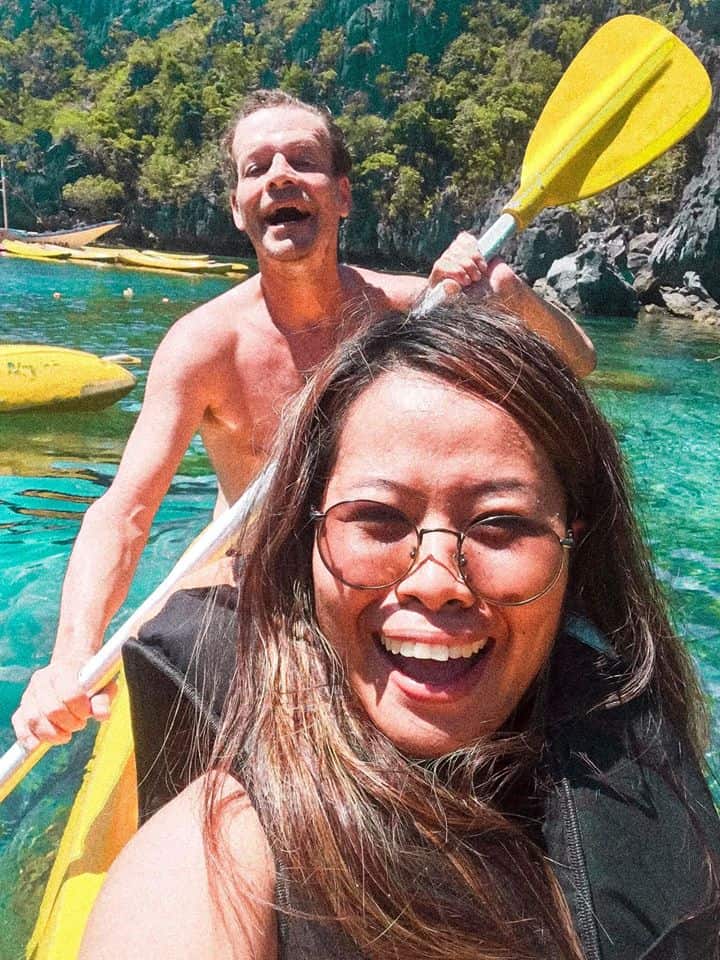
(51, 467)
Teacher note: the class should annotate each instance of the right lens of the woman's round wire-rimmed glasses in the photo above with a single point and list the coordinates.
(510, 559)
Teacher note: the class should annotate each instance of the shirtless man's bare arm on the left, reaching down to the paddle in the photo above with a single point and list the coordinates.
(108, 547)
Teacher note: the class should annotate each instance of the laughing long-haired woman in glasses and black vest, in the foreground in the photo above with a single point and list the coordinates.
(456, 684)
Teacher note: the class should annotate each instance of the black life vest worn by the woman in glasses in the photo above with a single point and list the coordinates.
(629, 824)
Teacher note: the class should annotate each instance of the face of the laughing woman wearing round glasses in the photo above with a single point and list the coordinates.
(495, 484)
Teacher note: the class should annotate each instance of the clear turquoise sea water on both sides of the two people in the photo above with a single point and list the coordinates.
(657, 381)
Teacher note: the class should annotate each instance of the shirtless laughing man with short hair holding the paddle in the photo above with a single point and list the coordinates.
(227, 368)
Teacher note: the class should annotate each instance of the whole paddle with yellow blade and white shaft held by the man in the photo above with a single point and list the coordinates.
(631, 92)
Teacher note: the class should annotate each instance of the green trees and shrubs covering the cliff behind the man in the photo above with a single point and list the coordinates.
(437, 100)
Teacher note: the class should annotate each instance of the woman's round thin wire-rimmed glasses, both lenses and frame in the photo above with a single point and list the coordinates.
(504, 559)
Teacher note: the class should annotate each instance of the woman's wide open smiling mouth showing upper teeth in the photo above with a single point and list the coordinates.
(435, 665)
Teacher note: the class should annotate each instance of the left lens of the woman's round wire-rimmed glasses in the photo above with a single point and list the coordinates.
(366, 544)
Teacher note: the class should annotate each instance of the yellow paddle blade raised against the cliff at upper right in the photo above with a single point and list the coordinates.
(632, 91)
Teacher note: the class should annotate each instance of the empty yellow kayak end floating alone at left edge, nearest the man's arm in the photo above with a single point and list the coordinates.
(37, 377)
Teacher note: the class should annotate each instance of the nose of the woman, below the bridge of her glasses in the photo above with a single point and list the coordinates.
(435, 578)
